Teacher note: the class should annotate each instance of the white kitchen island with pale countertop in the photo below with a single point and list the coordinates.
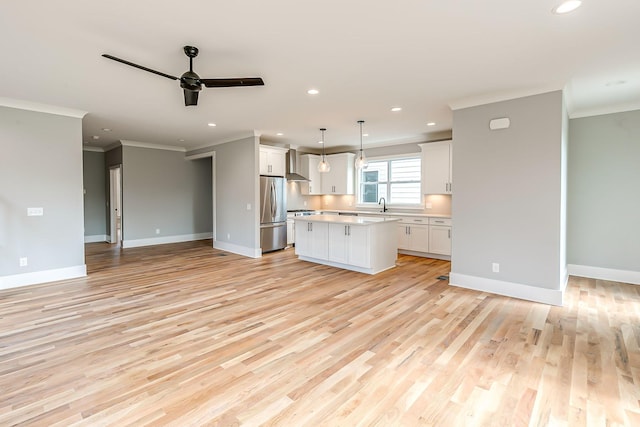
(364, 244)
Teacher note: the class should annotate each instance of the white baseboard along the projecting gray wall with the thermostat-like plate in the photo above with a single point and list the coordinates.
(510, 289)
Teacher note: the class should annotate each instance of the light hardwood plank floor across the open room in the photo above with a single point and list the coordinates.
(186, 335)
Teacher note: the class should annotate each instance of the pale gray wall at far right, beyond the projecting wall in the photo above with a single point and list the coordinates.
(604, 191)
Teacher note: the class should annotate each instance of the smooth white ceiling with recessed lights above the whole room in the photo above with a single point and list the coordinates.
(424, 56)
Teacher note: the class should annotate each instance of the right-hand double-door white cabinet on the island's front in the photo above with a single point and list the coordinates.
(349, 245)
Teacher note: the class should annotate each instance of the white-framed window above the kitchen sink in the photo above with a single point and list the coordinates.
(397, 180)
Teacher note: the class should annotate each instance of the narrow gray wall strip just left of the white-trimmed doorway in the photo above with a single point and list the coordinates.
(95, 196)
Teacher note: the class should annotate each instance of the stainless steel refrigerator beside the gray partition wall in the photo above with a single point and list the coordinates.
(273, 213)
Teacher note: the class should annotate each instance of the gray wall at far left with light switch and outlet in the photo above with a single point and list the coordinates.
(40, 166)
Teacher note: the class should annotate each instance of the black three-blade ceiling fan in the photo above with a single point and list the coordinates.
(191, 82)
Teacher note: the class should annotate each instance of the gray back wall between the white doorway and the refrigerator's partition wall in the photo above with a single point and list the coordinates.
(163, 190)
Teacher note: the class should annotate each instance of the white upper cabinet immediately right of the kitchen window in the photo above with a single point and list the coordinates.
(436, 167)
